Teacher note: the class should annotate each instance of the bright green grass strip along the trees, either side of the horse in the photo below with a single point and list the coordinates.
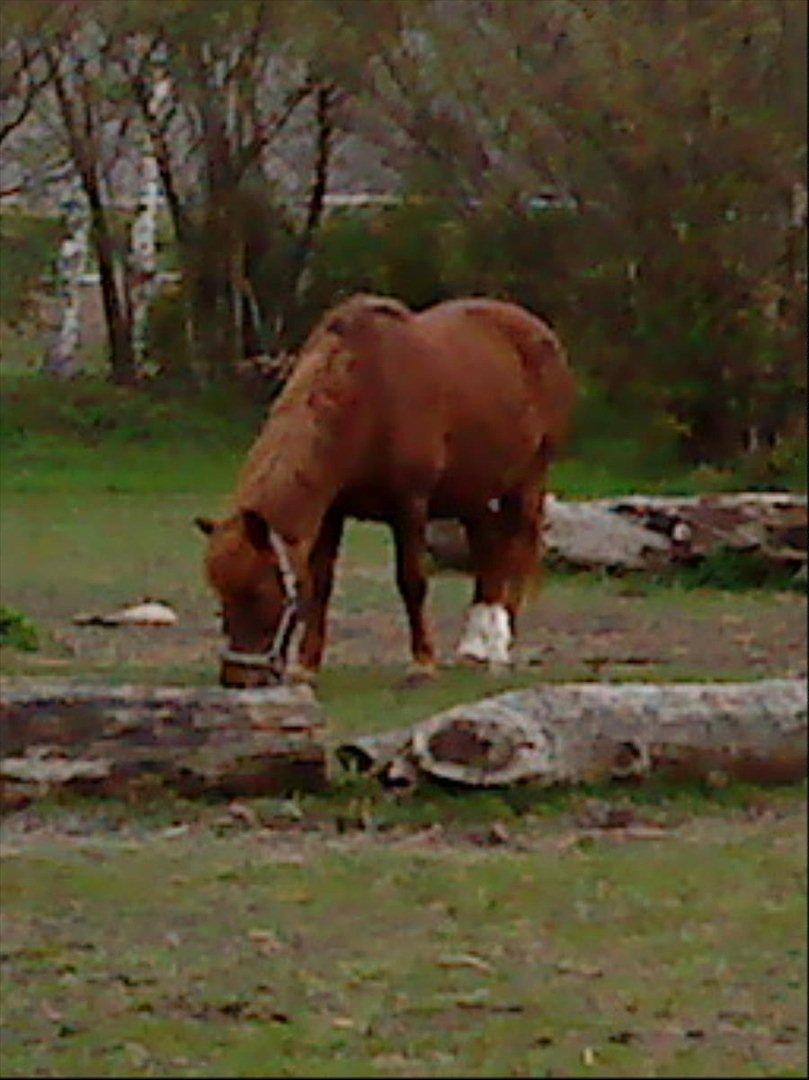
(89, 436)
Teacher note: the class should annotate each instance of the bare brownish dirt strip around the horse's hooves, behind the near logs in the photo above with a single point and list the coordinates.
(571, 630)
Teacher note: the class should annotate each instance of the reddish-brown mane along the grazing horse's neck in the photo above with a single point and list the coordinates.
(308, 414)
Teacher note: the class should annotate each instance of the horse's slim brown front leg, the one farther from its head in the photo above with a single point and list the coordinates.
(410, 528)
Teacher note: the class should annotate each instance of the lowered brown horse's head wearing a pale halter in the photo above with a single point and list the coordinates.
(248, 565)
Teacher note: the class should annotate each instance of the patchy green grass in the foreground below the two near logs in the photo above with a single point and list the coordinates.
(254, 957)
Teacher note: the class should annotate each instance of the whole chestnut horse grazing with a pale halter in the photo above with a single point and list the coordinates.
(400, 417)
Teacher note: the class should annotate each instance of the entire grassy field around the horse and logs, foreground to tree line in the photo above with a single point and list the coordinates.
(359, 934)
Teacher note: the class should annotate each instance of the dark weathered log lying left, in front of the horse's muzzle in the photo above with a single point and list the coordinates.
(131, 740)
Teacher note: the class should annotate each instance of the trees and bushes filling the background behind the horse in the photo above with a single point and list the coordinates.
(635, 171)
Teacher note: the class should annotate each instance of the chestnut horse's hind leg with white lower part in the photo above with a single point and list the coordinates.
(504, 544)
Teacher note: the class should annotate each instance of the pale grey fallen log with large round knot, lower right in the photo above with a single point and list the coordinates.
(572, 734)
